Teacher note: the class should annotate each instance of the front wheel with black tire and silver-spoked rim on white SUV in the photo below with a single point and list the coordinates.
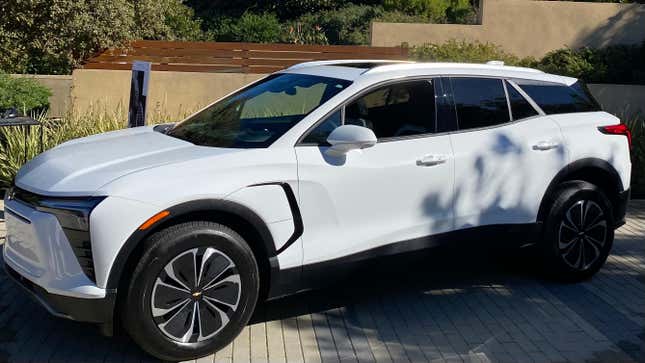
(174, 315)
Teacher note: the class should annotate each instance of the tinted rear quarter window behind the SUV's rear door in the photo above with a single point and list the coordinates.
(556, 98)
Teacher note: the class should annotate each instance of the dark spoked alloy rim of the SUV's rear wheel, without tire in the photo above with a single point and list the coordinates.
(582, 234)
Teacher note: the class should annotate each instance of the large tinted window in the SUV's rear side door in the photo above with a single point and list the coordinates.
(480, 102)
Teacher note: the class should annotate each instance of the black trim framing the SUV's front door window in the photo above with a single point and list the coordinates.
(363, 92)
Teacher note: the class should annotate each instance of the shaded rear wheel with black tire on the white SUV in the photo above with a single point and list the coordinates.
(575, 245)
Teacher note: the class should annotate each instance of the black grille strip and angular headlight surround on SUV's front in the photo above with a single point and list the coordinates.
(79, 240)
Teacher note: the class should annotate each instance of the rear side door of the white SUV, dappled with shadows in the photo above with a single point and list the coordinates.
(506, 153)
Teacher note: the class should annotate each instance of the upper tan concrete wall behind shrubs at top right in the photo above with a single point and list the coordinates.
(529, 28)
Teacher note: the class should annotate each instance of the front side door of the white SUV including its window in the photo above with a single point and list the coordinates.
(377, 200)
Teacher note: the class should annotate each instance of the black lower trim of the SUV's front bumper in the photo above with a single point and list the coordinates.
(86, 310)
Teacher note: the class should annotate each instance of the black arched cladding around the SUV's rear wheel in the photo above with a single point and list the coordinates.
(593, 170)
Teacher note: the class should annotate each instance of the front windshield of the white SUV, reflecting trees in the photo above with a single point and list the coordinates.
(259, 114)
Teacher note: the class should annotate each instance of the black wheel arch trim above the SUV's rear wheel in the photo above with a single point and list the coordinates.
(571, 169)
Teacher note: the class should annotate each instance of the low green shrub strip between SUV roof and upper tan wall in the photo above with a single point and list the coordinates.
(460, 51)
